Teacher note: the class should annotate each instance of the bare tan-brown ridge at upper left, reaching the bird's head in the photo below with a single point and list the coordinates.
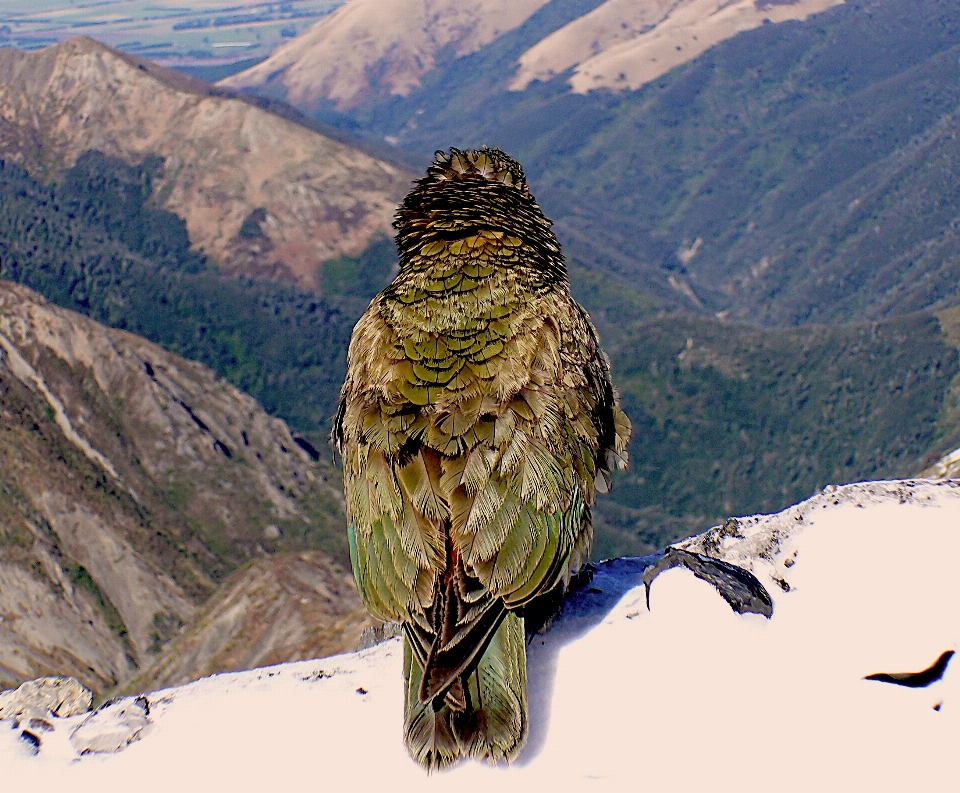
(262, 195)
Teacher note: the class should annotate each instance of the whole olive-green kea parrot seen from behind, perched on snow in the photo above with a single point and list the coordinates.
(476, 424)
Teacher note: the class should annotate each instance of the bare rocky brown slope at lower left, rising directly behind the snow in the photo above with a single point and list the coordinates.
(134, 487)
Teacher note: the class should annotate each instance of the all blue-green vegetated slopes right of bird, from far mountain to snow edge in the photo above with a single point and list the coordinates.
(808, 181)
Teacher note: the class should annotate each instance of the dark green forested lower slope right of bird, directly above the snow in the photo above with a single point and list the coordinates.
(731, 420)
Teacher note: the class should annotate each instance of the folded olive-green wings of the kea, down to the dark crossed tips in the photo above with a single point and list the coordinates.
(460, 513)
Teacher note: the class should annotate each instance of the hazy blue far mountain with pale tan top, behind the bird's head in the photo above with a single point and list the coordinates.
(784, 176)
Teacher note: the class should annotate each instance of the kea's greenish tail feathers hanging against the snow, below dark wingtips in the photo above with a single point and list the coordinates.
(482, 715)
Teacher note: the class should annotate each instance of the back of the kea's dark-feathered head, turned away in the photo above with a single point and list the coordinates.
(467, 192)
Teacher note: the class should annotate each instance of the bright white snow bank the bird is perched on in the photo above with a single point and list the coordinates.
(686, 696)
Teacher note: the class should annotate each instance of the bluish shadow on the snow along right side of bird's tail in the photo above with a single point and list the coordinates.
(583, 609)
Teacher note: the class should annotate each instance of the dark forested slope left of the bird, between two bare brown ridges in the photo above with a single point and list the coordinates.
(96, 244)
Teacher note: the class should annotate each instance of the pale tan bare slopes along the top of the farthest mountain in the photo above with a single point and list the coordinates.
(366, 52)
